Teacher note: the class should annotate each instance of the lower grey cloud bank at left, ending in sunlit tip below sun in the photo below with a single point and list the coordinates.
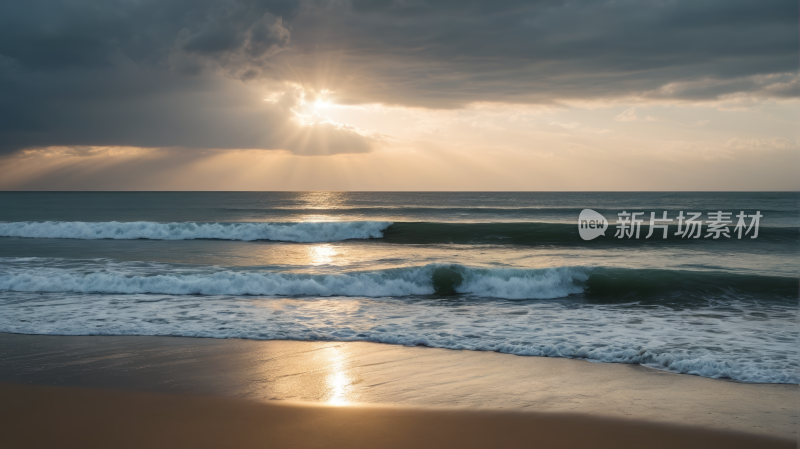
(144, 110)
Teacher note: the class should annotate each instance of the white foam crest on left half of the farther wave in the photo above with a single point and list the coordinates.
(287, 232)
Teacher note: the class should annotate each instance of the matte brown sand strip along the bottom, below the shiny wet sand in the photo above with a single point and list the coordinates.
(38, 416)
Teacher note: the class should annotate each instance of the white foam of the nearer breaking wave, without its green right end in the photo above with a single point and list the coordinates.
(527, 284)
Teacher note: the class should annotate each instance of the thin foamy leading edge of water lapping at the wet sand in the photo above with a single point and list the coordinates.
(698, 362)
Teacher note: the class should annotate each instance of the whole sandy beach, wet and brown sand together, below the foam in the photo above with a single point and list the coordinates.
(350, 379)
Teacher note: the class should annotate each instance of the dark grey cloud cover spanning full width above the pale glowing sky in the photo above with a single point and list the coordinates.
(163, 73)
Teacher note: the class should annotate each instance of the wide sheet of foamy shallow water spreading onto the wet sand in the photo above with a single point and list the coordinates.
(736, 348)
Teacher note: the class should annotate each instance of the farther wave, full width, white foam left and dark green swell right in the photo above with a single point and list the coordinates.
(522, 234)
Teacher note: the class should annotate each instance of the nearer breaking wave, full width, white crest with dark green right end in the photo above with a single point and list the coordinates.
(609, 284)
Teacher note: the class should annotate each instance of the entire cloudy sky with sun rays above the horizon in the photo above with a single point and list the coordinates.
(399, 95)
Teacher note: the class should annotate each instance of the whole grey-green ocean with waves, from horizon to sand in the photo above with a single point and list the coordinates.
(506, 272)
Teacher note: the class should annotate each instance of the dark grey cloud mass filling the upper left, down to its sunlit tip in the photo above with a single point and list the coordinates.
(153, 74)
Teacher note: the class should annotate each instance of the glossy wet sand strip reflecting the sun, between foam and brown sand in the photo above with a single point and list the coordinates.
(367, 373)
